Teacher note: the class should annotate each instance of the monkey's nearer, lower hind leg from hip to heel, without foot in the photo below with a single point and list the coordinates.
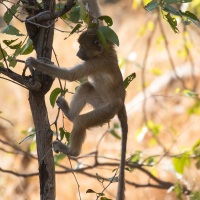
(96, 117)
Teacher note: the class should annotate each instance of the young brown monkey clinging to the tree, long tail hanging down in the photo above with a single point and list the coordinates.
(104, 90)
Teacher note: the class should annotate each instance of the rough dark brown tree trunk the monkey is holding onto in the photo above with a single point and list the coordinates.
(44, 135)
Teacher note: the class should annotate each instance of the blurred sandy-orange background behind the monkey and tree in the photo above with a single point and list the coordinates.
(162, 103)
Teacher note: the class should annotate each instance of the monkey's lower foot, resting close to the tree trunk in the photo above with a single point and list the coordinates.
(58, 146)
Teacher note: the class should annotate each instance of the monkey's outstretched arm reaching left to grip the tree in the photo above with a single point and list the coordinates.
(75, 73)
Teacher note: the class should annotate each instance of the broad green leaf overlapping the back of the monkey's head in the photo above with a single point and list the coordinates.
(109, 34)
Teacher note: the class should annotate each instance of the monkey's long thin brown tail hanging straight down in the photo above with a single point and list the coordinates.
(124, 125)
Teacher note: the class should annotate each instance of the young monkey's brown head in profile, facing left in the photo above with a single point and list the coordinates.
(90, 46)
